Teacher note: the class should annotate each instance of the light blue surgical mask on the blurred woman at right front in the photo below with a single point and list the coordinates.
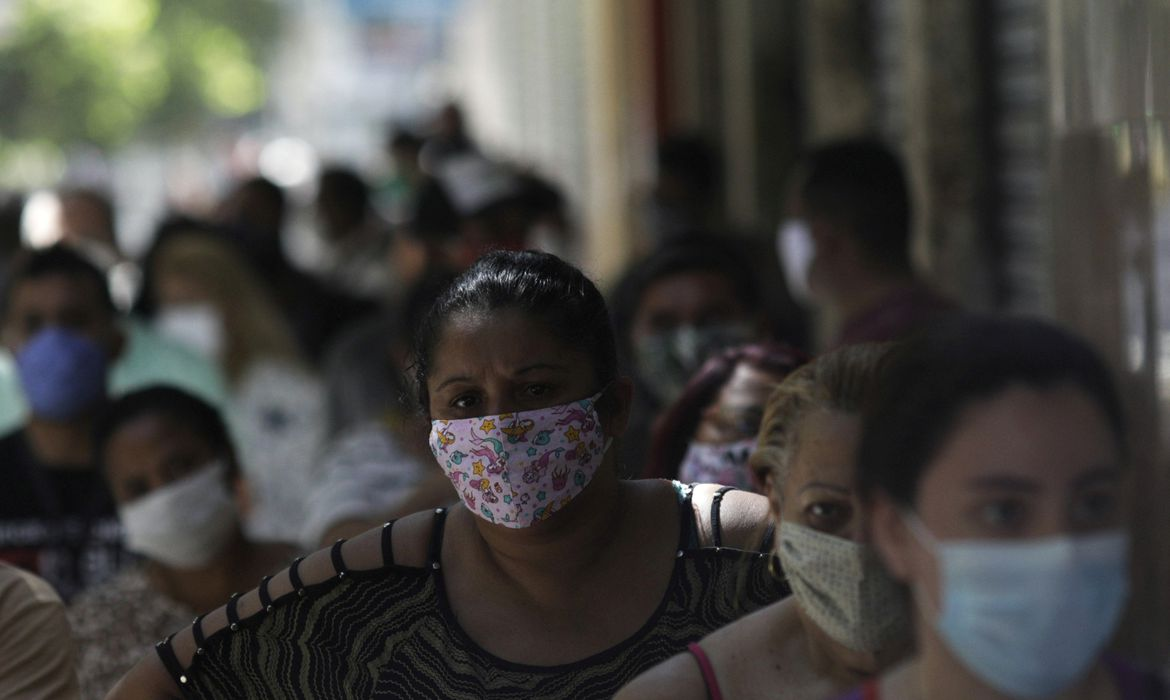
(1029, 619)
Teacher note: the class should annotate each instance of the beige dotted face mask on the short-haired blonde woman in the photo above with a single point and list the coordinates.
(843, 588)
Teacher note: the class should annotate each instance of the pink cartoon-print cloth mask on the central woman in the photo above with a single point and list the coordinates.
(517, 470)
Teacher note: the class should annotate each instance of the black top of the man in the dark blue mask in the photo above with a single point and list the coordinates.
(58, 521)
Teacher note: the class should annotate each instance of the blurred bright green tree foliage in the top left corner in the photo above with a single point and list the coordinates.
(107, 72)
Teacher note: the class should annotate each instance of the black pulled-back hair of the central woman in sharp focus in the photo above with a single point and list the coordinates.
(545, 287)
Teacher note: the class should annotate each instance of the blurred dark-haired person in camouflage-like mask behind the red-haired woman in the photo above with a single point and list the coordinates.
(676, 310)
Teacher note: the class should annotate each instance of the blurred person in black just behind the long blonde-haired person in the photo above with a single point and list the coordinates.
(254, 216)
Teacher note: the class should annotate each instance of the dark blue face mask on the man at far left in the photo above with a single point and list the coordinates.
(63, 374)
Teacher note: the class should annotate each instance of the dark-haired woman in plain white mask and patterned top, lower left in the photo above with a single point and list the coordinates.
(174, 473)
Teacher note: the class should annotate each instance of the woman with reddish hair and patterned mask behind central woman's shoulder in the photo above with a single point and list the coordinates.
(710, 433)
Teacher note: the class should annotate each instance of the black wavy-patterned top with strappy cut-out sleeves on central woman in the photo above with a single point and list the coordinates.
(391, 634)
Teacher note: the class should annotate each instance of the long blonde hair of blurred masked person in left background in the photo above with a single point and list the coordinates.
(253, 324)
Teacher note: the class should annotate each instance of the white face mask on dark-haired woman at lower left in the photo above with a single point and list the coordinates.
(184, 524)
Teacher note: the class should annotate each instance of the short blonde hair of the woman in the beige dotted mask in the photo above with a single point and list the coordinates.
(844, 381)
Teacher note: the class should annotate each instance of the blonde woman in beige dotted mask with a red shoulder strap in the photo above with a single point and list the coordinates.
(848, 620)
